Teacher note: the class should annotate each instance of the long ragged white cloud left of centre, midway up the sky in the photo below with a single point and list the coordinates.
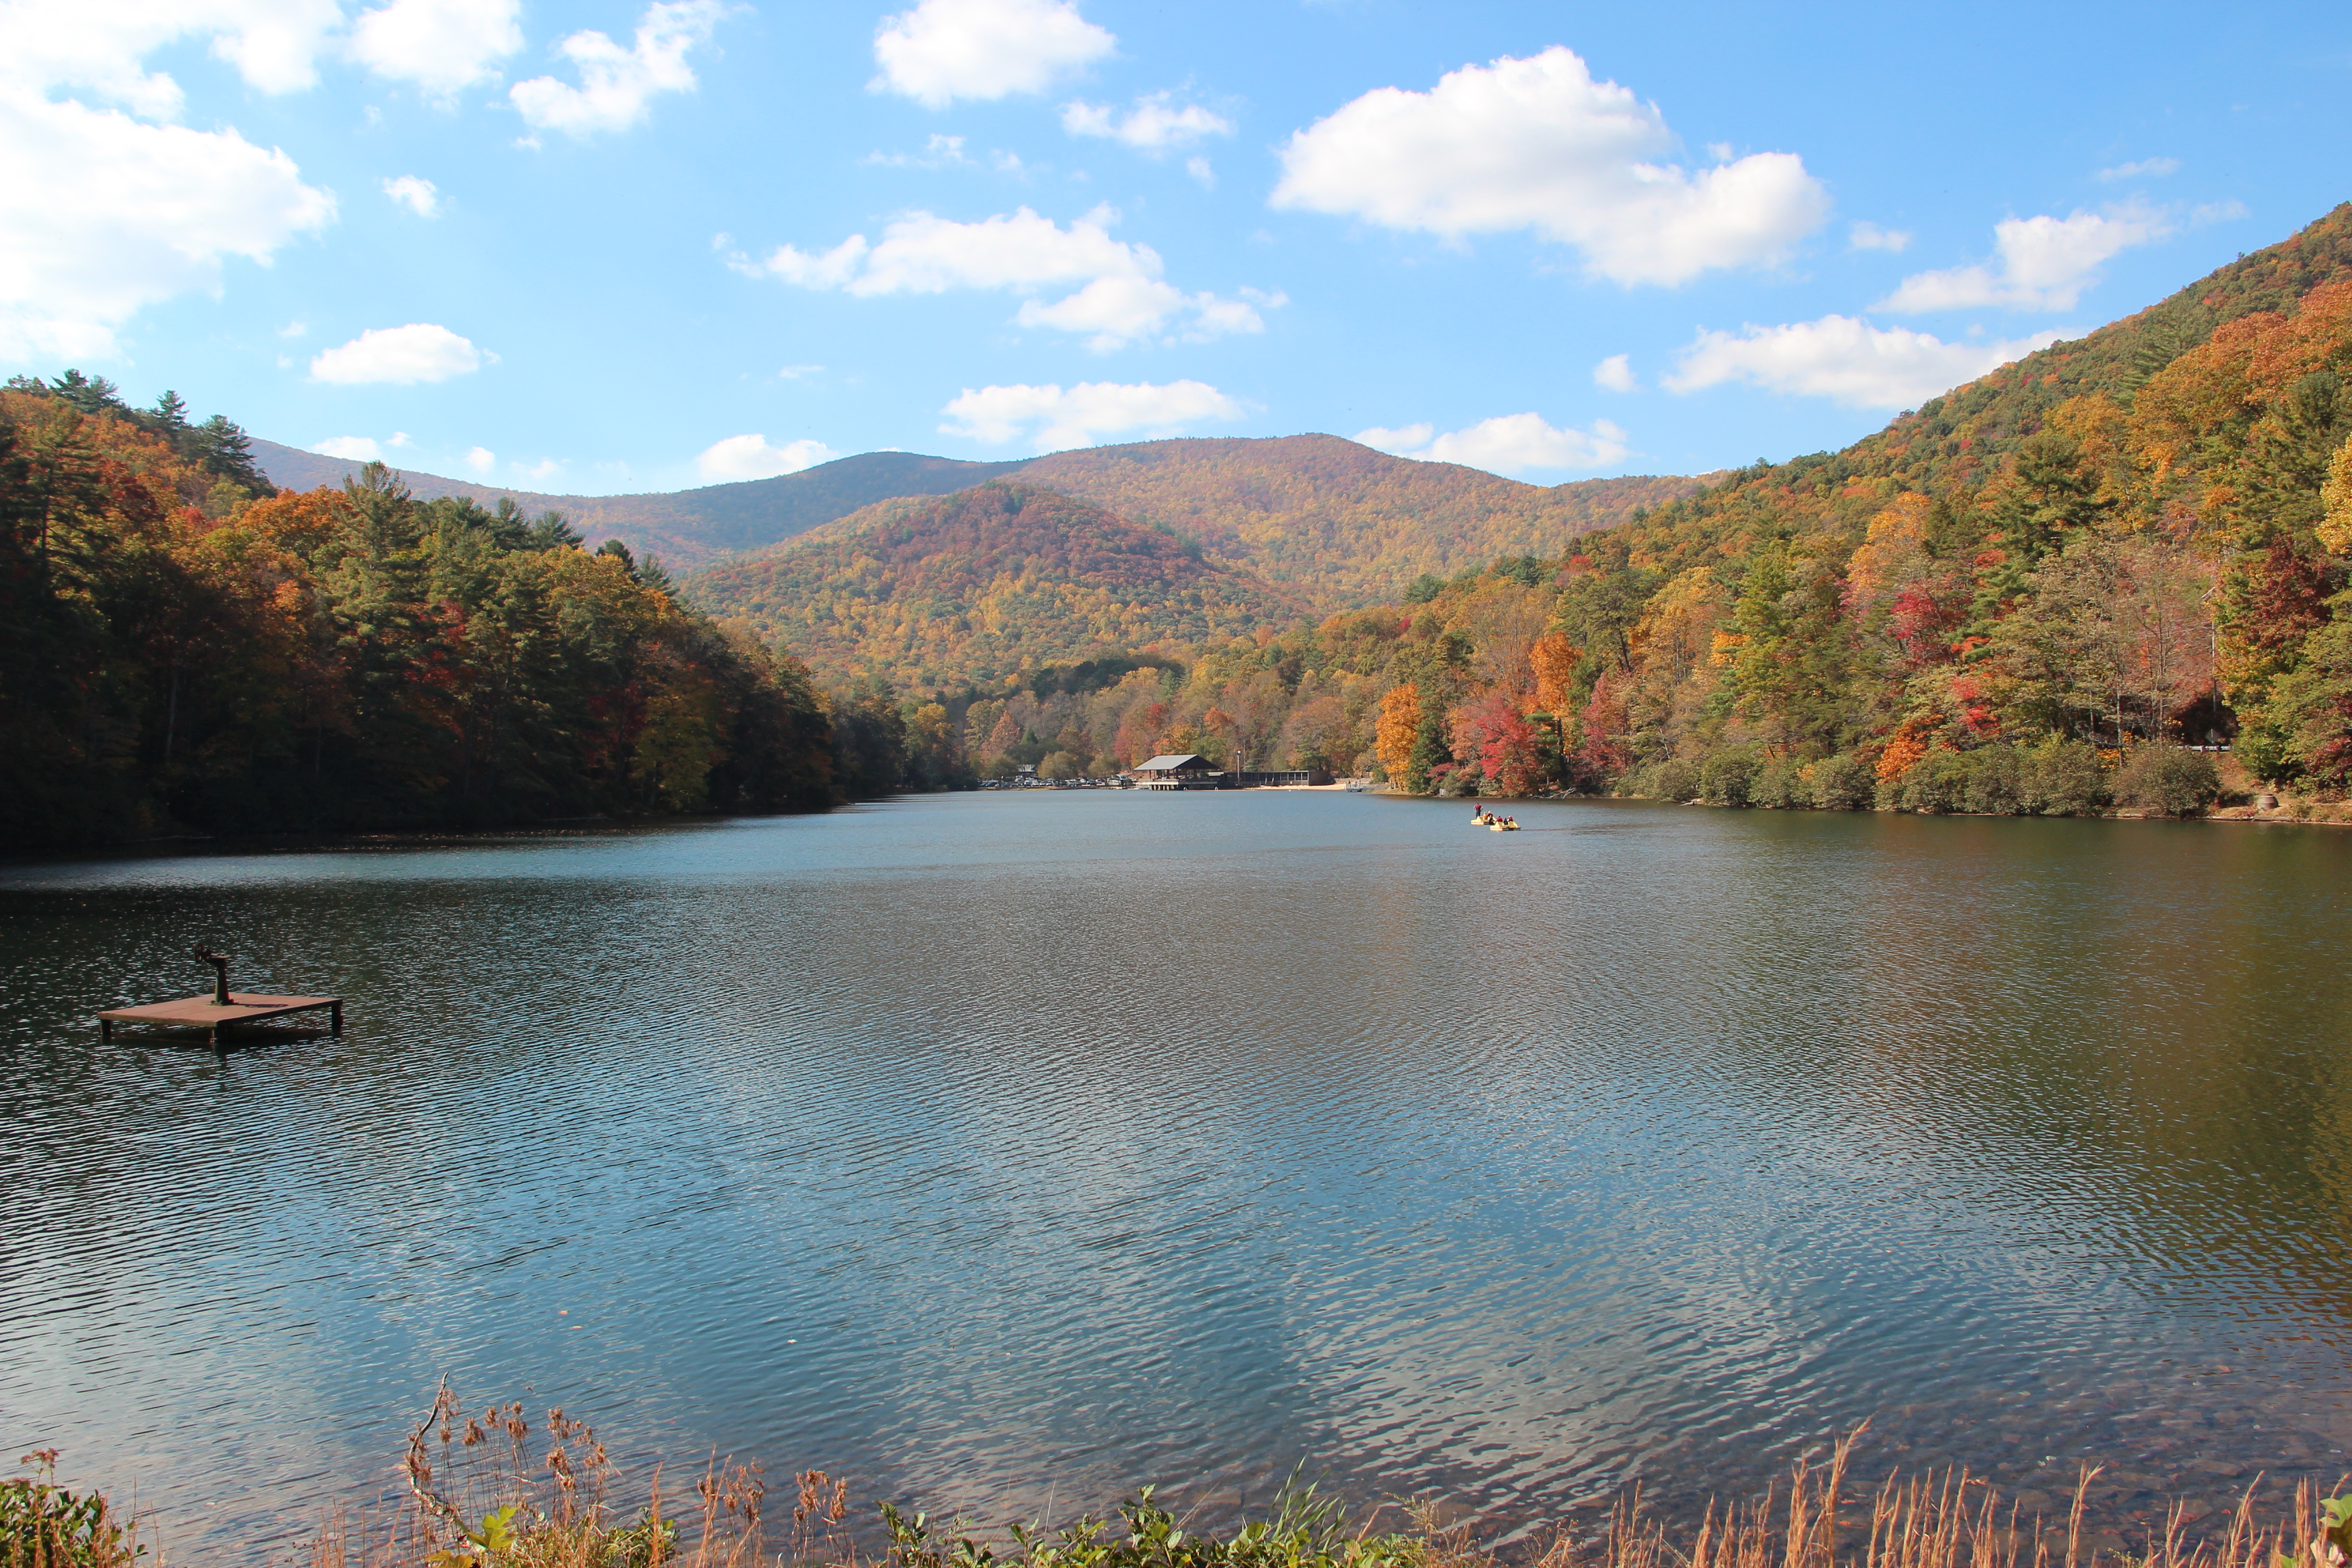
(1121, 300)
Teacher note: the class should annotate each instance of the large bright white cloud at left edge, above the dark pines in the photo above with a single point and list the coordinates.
(105, 215)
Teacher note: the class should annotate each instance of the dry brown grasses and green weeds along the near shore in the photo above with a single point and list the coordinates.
(486, 1496)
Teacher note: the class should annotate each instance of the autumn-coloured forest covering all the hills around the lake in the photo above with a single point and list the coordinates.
(2057, 589)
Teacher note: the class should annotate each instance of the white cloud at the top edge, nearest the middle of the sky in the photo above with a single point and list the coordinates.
(949, 51)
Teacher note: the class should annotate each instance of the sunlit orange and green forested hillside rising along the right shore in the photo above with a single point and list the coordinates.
(2029, 596)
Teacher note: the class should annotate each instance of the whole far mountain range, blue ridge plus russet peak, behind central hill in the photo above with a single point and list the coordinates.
(1332, 518)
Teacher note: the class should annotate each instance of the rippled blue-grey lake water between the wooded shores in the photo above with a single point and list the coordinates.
(1008, 1151)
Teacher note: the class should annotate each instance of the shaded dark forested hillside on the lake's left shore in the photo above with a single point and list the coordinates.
(182, 650)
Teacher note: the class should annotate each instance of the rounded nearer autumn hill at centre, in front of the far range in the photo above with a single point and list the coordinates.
(982, 584)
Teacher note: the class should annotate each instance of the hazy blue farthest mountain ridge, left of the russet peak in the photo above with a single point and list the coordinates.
(695, 525)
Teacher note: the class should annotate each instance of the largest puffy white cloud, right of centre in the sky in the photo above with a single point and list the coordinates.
(1539, 145)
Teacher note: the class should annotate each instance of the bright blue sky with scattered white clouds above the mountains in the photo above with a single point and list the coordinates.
(617, 246)
